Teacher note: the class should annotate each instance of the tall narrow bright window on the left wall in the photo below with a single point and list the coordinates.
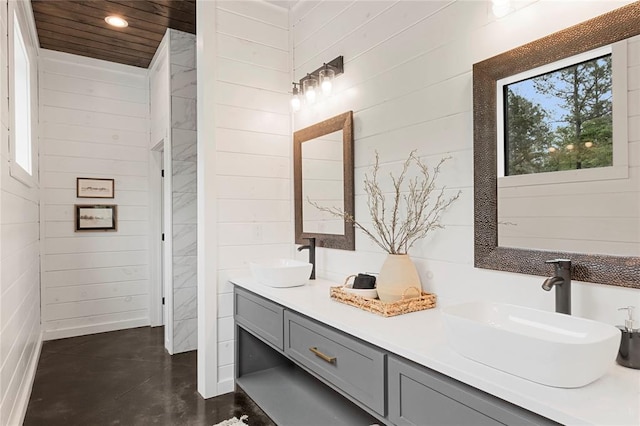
(20, 104)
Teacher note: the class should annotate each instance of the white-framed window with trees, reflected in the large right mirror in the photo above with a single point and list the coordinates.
(565, 121)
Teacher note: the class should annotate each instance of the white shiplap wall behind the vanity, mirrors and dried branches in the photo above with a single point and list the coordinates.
(408, 80)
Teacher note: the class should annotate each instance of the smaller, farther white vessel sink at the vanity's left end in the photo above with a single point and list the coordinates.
(281, 272)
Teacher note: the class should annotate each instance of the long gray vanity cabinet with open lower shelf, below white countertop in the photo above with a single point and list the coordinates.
(350, 380)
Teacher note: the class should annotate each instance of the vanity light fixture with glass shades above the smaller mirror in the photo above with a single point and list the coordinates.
(321, 79)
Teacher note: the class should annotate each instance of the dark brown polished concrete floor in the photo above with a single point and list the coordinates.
(126, 378)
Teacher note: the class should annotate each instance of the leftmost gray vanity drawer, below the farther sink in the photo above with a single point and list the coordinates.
(261, 316)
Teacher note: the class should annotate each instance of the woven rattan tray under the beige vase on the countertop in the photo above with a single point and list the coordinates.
(404, 306)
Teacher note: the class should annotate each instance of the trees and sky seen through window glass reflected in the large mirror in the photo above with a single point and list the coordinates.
(561, 120)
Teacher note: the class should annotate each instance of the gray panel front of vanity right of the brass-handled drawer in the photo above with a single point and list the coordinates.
(422, 397)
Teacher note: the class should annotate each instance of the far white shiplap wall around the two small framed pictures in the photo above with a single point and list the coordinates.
(94, 123)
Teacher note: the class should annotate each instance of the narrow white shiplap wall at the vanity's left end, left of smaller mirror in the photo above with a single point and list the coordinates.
(253, 157)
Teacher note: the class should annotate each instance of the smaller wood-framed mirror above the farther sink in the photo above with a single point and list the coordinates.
(323, 173)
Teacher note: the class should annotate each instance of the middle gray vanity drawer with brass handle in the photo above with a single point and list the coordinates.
(350, 365)
